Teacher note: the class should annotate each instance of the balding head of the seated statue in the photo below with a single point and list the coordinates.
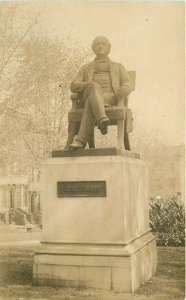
(101, 46)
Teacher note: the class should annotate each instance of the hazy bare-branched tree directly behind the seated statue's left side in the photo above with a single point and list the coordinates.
(36, 115)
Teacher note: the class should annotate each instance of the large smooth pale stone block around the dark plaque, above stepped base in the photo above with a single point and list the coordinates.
(119, 217)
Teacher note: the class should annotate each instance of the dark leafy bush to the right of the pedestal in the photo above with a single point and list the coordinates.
(167, 221)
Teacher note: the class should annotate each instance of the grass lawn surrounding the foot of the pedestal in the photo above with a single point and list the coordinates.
(16, 279)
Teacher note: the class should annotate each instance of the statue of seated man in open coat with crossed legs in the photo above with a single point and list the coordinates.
(100, 84)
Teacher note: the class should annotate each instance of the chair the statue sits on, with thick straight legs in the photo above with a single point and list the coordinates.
(119, 115)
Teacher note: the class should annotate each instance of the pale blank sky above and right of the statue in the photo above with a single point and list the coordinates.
(147, 37)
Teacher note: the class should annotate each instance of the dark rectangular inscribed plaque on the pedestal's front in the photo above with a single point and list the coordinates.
(81, 189)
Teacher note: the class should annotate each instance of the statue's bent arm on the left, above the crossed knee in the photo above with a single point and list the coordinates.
(79, 84)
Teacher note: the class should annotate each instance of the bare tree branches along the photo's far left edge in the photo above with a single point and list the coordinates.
(15, 27)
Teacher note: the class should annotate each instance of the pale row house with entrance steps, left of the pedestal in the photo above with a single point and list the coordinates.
(20, 193)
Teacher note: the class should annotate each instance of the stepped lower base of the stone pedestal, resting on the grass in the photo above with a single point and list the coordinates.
(121, 268)
